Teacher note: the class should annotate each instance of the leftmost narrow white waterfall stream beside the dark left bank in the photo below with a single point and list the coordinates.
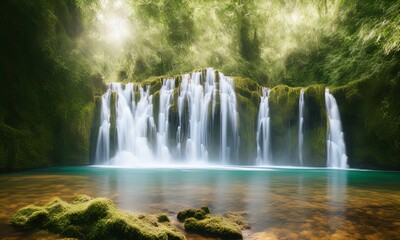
(103, 139)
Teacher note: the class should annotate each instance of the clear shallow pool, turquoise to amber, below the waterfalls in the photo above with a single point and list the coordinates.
(279, 203)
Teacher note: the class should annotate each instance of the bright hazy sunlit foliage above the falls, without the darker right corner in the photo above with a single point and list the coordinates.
(242, 38)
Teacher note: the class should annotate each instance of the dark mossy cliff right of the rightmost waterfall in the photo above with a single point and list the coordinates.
(370, 113)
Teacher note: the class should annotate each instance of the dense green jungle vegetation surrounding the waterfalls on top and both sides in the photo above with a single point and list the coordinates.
(56, 55)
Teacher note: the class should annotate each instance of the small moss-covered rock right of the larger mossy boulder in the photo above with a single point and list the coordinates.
(201, 221)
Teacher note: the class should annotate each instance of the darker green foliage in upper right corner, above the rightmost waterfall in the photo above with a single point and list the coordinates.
(365, 42)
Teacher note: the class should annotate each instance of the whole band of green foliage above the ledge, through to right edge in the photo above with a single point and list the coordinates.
(297, 43)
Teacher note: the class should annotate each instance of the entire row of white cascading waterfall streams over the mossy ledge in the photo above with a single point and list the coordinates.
(206, 121)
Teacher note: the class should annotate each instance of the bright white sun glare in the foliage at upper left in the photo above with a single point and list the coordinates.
(113, 20)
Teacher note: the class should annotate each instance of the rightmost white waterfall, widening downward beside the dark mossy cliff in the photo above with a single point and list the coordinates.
(336, 148)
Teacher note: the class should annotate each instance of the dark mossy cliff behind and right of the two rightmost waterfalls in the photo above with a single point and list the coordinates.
(370, 114)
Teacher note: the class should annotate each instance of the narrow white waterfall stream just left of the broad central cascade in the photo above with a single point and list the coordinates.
(166, 101)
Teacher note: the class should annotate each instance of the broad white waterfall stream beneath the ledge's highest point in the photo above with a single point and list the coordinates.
(196, 92)
